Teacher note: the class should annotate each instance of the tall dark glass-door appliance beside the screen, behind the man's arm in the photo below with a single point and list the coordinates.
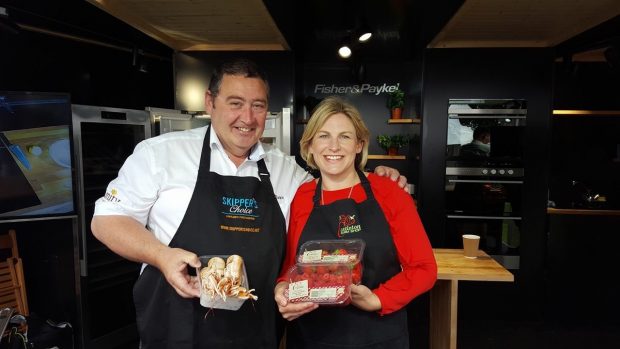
(104, 138)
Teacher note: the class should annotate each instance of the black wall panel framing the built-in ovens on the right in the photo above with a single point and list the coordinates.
(490, 73)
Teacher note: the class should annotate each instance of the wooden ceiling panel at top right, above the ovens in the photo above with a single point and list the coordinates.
(522, 23)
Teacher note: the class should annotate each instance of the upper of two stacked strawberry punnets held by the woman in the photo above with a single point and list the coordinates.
(349, 251)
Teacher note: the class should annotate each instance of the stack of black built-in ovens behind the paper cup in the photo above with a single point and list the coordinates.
(484, 191)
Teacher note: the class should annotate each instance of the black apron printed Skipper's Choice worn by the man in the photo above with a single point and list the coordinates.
(226, 215)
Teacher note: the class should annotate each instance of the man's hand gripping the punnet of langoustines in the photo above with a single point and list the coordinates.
(173, 264)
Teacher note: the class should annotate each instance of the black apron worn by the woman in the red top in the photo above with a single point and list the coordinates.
(349, 327)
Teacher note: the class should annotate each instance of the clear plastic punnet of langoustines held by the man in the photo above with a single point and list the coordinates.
(223, 282)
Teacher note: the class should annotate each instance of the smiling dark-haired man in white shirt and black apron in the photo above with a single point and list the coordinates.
(207, 191)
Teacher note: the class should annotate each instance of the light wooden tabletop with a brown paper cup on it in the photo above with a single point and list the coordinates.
(452, 265)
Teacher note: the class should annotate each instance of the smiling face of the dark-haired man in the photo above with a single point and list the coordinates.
(238, 113)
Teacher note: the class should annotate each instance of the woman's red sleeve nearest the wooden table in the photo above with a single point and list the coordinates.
(419, 268)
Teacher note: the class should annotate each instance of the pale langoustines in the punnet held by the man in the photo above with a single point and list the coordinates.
(225, 278)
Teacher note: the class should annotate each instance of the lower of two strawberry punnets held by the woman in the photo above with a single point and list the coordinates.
(325, 284)
